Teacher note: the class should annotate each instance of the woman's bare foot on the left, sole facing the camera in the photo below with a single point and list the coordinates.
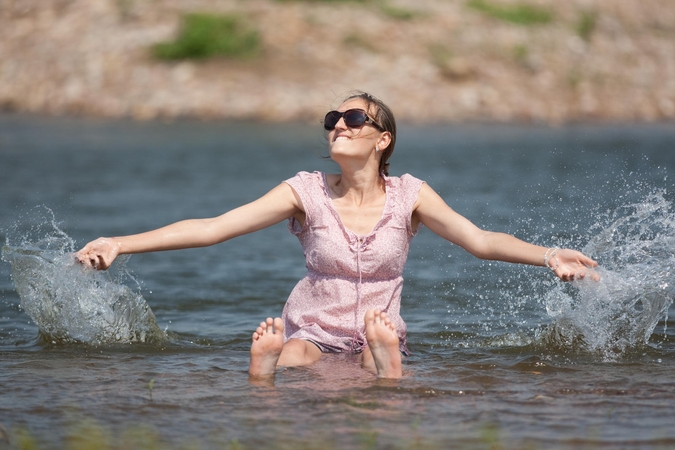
(268, 339)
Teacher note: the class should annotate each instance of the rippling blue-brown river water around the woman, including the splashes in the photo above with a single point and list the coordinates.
(503, 356)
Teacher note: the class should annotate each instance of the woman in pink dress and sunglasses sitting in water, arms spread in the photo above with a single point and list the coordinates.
(355, 228)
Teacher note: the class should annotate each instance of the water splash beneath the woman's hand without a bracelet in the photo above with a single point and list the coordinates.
(70, 303)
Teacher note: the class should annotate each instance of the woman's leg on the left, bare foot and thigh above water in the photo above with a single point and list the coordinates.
(269, 351)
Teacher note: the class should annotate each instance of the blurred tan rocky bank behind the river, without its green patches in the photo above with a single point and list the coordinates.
(431, 60)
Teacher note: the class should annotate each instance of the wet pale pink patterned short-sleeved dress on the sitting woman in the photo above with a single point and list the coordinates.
(347, 273)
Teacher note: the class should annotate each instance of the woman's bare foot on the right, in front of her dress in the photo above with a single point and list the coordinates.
(383, 343)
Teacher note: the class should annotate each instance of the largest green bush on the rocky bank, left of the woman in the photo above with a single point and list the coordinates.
(208, 35)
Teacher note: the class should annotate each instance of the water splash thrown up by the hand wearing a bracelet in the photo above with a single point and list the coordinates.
(635, 246)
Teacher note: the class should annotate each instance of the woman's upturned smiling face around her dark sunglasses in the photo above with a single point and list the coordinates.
(361, 141)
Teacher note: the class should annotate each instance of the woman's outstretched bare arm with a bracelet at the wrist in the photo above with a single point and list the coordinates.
(431, 210)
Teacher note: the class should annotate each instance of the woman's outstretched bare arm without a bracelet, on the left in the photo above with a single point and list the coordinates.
(278, 204)
